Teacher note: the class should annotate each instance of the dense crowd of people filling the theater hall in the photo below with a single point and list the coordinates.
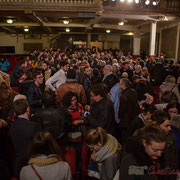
(119, 114)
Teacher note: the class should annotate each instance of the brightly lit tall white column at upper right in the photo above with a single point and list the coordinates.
(152, 39)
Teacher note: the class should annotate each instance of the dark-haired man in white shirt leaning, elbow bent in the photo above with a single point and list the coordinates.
(59, 77)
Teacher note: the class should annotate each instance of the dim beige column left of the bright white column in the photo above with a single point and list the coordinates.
(136, 44)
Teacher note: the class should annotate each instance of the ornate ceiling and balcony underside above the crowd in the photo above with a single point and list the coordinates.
(85, 16)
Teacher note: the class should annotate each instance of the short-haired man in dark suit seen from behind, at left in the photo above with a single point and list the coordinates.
(22, 132)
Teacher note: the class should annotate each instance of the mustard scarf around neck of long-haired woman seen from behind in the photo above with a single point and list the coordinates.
(44, 160)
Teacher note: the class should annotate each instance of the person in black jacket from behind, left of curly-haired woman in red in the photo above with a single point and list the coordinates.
(53, 118)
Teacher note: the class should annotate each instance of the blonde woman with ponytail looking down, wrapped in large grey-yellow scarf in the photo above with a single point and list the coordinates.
(105, 152)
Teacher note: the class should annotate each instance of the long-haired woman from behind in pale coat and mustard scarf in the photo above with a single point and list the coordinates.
(45, 162)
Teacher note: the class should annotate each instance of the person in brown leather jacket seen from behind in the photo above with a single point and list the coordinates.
(71, 85)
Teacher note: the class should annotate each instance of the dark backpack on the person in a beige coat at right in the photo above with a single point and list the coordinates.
(169, 96)
